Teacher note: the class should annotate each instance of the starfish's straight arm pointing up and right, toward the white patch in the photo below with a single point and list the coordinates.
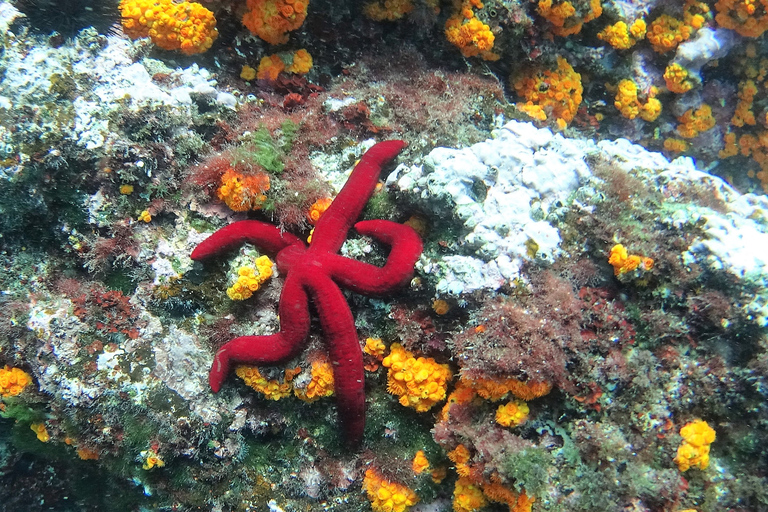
(331, 230)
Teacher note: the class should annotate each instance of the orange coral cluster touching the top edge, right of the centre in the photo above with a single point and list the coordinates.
(465, 31)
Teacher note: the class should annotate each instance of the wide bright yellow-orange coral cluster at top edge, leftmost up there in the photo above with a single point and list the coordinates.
(185, 26)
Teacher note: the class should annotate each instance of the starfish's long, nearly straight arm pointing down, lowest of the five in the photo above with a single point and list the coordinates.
(345, 353)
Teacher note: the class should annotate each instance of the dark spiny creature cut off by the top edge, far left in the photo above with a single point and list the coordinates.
(68, 17)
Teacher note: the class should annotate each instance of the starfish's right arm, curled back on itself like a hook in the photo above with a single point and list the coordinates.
(369, 279)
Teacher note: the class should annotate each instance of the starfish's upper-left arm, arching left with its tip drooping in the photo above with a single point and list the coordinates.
(266, 236)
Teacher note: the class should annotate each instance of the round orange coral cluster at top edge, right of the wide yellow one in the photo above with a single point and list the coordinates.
(271, 20)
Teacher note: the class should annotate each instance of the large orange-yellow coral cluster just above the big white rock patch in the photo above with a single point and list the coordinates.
(550, 94)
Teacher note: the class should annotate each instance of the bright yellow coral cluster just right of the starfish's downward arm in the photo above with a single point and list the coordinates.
(420, 383)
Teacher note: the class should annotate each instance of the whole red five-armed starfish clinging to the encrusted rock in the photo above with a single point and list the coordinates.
(317, 272)
